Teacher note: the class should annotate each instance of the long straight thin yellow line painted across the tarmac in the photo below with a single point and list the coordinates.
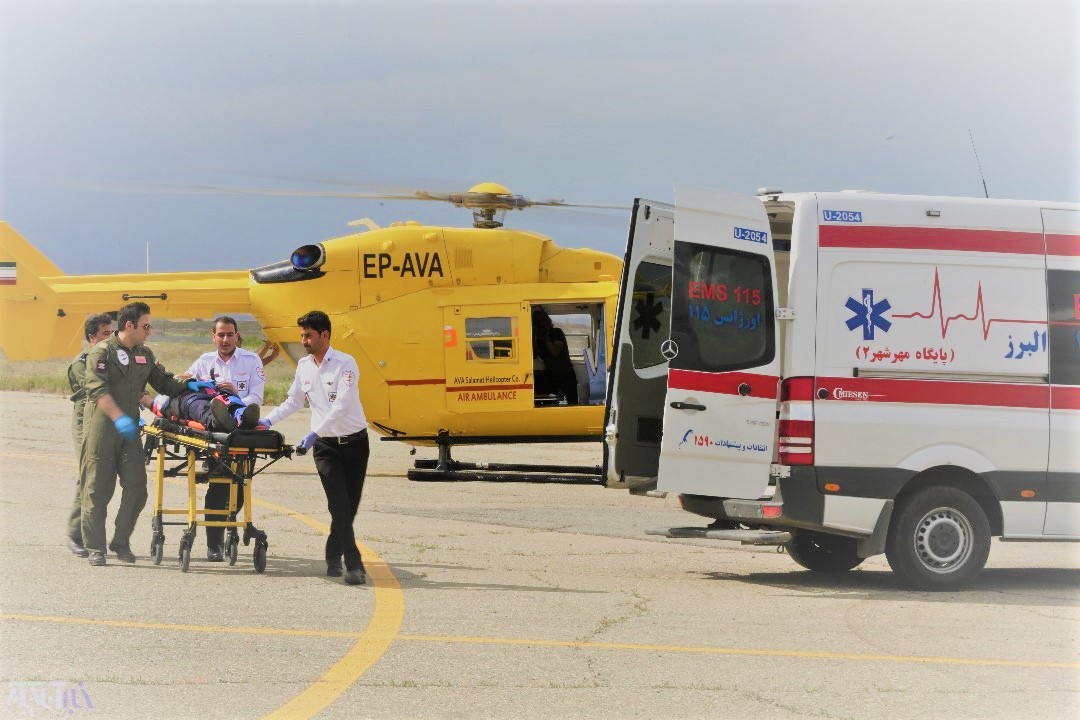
(570, 645)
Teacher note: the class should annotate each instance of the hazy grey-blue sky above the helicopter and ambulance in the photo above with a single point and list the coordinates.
(590, 102)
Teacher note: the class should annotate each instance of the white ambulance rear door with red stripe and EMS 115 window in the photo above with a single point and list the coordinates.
(724, 371)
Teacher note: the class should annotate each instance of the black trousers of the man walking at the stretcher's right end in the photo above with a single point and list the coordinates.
(343, 464)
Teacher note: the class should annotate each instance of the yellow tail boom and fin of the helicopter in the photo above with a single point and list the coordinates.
(43, 310)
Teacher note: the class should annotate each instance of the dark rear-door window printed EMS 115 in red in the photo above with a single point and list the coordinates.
(722, 309)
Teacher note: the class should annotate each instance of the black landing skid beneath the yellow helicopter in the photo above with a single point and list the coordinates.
(445, 469)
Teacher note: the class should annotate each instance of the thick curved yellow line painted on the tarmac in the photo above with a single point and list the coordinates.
(374, 642)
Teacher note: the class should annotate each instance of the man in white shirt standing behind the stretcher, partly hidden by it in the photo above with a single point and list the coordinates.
(236, 372)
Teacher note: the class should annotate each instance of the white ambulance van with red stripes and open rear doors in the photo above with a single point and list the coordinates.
(849, 374)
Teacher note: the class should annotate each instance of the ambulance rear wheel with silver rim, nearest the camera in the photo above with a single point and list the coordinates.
(939, 539)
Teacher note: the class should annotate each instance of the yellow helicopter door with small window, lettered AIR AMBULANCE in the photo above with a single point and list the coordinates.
(489, 370)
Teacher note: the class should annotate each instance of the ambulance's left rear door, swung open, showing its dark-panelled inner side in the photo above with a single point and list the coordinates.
(640, 376)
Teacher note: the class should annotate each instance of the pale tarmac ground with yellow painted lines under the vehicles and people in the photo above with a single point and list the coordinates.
(498, 601)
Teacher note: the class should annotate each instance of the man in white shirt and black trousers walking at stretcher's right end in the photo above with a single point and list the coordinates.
(329, 379)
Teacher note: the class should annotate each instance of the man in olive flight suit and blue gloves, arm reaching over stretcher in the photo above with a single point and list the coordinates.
(118, 372)
